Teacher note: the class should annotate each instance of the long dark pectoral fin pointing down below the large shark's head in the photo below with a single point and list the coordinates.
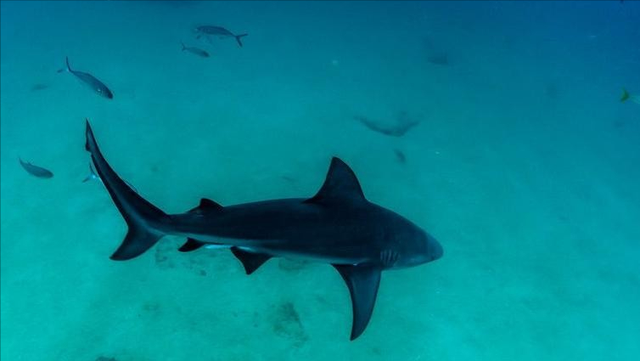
(363, 281)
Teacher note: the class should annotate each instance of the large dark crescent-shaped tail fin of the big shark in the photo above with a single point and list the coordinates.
(146, 222)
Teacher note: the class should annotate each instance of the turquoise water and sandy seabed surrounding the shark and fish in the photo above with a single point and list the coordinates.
(523, 162)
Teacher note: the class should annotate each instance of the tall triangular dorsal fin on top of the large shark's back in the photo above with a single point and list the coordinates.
(341, 184)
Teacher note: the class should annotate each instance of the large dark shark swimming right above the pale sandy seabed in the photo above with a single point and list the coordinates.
(337, 226)
